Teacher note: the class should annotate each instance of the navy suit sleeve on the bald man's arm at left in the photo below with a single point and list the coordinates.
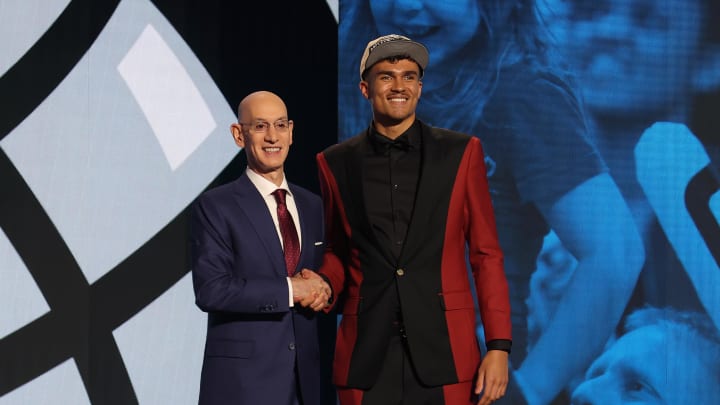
(221, 282)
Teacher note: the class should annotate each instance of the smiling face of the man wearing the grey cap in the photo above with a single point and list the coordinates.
(393, 89)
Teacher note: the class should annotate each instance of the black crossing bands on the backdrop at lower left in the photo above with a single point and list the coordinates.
(82, 317)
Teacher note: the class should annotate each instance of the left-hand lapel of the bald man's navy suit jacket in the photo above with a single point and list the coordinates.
(253, 206)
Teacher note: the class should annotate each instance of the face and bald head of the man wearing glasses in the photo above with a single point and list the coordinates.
(265, 133)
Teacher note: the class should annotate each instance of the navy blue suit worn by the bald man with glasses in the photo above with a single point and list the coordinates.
(255, 340)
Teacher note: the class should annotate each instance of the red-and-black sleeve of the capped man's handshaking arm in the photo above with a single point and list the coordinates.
(336, 231)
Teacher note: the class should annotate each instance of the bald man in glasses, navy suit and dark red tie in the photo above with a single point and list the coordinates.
(254, 244)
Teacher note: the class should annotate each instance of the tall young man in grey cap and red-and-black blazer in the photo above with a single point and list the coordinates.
(403, 200)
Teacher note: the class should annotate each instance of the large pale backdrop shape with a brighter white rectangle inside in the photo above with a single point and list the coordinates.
(113, 159)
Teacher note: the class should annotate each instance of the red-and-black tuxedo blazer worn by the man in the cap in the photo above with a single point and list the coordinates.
(452, 210)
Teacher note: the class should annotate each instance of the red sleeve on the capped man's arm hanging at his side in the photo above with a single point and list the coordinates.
(486, 257)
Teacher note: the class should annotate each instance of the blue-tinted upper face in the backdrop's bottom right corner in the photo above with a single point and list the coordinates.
(657, 364)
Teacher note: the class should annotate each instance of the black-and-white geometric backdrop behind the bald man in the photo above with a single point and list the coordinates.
(115, 118)
